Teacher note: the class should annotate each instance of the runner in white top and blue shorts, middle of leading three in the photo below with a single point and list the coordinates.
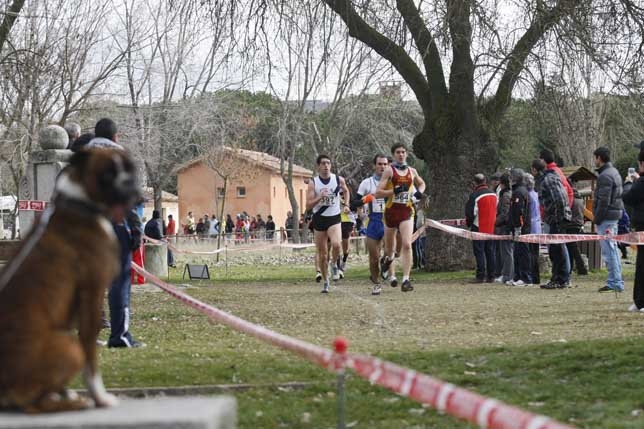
(375, 229)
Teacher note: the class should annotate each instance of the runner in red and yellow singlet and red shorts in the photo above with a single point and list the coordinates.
(399, 184)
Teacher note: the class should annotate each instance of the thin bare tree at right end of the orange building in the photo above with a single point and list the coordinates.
(308, 59)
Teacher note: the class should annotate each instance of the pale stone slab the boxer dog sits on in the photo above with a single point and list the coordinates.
(187, 412)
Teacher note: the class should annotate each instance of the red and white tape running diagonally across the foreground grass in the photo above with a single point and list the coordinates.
(458, 402)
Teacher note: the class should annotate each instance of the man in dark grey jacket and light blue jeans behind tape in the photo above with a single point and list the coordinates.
(607, 209)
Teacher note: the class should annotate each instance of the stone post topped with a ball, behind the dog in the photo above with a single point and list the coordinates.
(42, 169)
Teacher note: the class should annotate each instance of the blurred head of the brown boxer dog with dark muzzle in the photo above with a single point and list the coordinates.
(106, 177)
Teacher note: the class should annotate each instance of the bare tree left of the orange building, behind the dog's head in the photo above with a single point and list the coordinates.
(174, 52)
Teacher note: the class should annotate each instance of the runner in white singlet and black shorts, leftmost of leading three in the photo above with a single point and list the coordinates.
(323, 197)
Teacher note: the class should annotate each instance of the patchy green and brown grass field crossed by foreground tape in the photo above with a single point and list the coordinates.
(574, 354)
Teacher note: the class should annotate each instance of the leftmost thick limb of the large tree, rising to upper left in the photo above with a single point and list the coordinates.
(386, 48)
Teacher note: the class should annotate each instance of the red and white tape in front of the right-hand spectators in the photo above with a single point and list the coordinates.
(630, 238)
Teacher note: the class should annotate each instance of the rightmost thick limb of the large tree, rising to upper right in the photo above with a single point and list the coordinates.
(542, 23)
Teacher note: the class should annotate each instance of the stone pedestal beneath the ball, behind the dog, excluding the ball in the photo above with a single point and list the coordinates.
(38, 181)
